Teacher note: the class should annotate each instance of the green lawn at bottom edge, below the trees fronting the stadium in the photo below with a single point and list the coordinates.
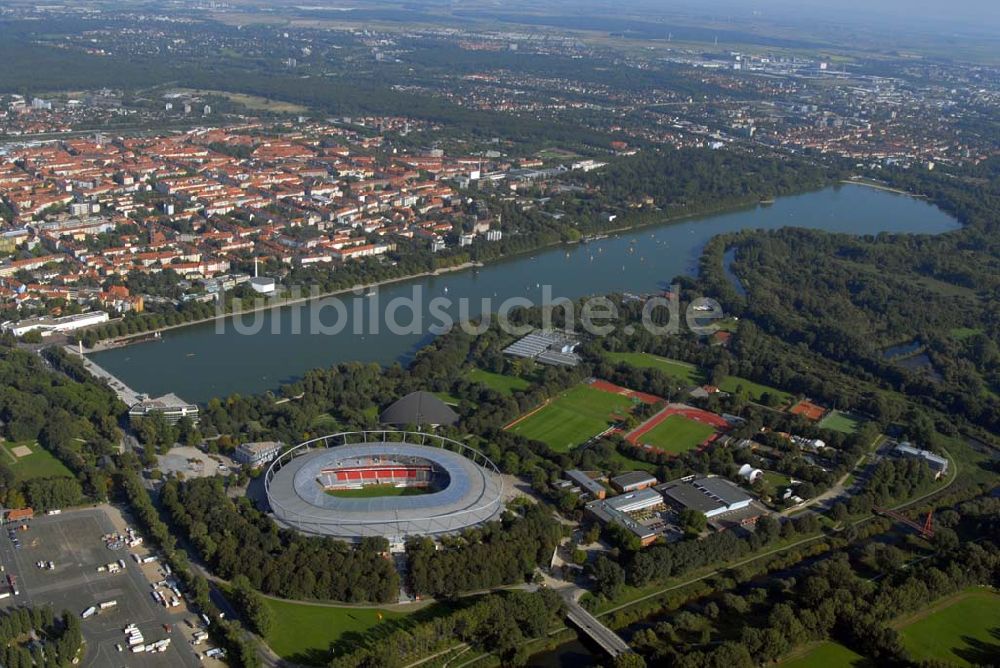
(304, 632)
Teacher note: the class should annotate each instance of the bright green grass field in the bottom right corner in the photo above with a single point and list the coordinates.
(959, 630)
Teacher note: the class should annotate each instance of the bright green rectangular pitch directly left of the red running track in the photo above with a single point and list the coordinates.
(573, 418)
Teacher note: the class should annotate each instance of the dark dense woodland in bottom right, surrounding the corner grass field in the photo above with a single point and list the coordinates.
(851, 596)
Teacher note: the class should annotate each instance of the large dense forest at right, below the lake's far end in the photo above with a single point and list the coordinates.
(852, 299)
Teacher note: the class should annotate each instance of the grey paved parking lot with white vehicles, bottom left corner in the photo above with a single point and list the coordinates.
(73, 542)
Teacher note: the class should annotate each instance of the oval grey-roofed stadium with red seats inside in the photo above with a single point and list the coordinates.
(391, 484)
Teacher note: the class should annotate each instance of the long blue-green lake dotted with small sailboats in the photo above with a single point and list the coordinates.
(200, 361)
